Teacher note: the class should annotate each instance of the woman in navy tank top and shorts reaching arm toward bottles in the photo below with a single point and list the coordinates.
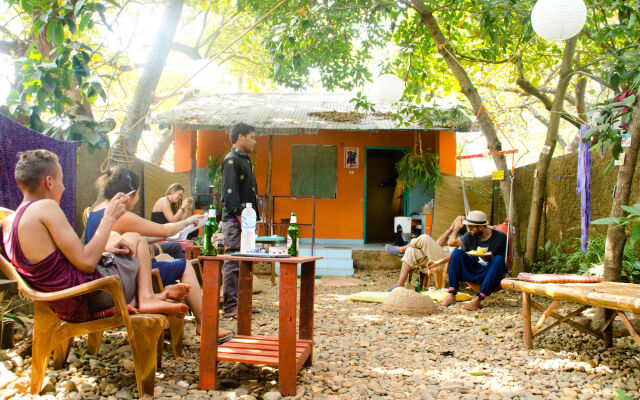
(120, 179)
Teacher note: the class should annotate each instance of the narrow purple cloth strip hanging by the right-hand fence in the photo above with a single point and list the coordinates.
(583, 186)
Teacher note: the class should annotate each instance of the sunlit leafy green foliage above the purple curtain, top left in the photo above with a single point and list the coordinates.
(54, 85)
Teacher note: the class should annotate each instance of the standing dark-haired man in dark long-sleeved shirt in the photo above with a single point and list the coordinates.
(238, 188)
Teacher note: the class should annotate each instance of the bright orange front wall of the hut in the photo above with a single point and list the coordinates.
(339, 218)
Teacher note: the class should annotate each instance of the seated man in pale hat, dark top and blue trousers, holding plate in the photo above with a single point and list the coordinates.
(465, 268)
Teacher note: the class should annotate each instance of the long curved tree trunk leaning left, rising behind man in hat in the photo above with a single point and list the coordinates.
(486, 124)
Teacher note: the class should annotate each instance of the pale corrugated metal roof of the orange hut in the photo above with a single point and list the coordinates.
(275, 113)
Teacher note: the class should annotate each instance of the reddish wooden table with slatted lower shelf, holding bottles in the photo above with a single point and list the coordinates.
(286, 351)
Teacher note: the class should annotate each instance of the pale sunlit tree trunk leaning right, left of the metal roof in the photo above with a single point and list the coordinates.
(124, 149)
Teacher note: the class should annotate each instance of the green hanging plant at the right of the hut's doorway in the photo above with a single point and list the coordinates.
(419, 168)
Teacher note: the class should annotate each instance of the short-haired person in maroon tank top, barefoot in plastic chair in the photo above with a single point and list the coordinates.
(48, 254)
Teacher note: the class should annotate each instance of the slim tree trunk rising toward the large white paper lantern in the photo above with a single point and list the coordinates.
(540, 179)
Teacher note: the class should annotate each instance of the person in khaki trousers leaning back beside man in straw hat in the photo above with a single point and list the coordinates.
(424, 248)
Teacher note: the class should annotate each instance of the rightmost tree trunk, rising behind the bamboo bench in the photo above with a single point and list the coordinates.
(616, 238)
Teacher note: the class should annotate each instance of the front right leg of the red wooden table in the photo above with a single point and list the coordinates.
(287, 329)
